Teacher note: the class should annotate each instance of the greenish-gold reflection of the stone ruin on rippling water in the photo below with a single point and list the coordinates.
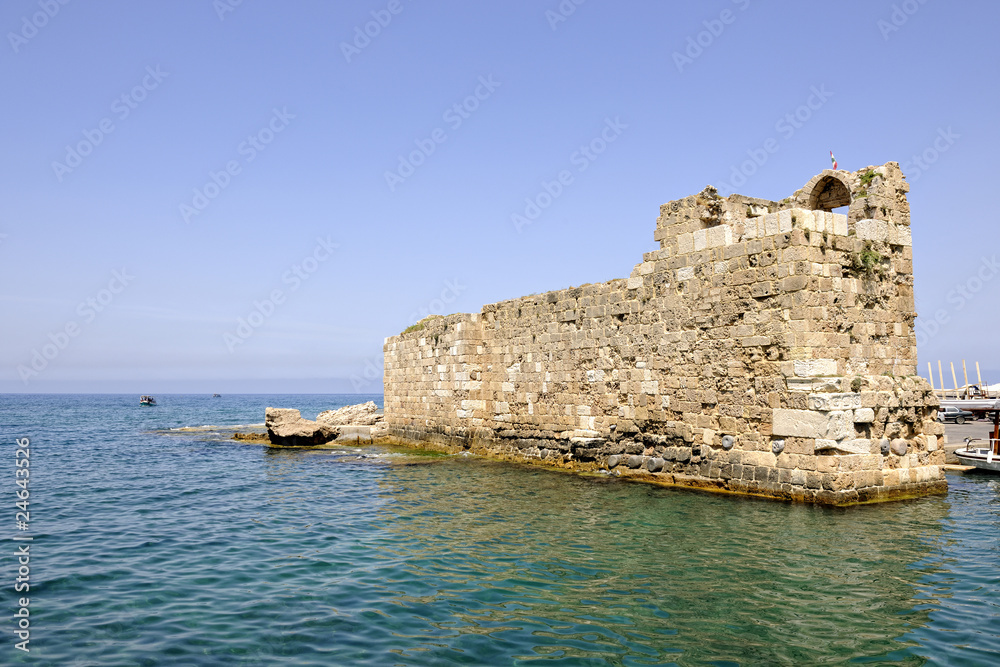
(580, 568)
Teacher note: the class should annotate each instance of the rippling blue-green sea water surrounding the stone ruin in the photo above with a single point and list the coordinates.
(160, 547)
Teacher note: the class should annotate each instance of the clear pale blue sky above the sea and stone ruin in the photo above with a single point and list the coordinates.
(300, 130)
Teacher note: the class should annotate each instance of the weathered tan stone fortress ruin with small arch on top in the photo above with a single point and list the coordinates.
(766, 348)
